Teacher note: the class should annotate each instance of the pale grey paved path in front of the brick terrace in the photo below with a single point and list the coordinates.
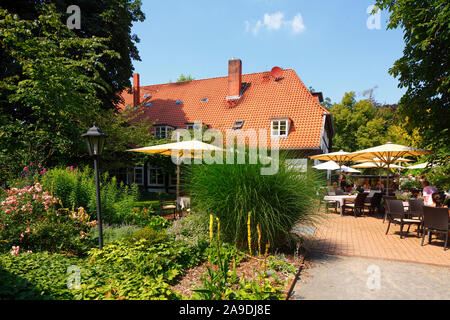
(354, 278)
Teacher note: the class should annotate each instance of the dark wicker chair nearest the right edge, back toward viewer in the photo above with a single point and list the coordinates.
(435, 220)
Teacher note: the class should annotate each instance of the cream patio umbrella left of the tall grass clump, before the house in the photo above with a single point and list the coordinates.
(183, 149)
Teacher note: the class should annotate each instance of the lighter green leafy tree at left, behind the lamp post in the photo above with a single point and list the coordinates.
(49, 93)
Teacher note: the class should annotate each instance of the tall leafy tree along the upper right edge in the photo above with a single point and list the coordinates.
(424, 68)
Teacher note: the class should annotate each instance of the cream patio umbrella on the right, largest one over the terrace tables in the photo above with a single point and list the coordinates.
(388, 153)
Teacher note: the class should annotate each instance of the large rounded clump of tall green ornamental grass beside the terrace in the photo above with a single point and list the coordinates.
(276, 202)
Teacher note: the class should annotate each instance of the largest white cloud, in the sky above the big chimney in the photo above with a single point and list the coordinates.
(276, 21)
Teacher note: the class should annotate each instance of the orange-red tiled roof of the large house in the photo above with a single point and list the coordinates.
(262, 101)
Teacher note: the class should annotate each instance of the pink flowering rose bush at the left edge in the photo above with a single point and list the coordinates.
(32, 219)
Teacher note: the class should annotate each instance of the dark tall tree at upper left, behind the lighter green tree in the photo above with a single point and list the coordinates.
(111, 20)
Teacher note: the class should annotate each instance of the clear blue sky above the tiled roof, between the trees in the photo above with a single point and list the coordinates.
(327, 42)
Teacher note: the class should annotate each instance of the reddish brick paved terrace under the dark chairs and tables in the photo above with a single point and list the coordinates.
(365, 236)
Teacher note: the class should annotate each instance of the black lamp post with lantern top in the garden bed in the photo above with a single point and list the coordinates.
(95, 140)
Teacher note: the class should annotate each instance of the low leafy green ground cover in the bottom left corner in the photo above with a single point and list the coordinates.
(43, 276)
